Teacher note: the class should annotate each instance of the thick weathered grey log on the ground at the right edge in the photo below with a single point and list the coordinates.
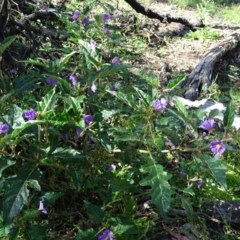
(200, 77)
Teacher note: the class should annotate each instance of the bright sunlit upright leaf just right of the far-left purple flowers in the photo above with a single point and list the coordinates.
(48, 102)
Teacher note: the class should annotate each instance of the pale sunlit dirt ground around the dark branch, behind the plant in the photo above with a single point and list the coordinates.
(170, 52)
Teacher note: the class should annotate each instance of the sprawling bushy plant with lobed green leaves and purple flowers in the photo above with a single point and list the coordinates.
(85, 142)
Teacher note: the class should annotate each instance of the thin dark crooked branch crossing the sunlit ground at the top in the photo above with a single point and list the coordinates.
(163, 18)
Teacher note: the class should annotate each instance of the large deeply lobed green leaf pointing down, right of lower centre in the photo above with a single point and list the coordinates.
(157, 179)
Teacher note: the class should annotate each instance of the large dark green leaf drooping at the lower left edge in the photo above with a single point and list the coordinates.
(16, 193)
